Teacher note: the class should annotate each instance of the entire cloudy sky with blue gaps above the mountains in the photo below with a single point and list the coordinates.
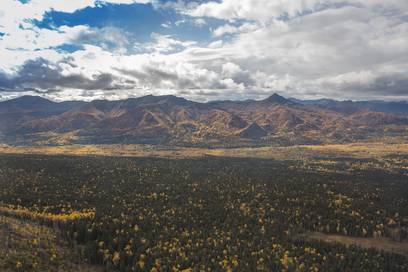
(204, 50)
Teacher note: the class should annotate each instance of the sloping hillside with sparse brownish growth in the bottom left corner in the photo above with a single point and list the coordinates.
(29, 246)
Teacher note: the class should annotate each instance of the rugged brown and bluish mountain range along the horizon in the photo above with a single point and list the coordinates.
(171, 120)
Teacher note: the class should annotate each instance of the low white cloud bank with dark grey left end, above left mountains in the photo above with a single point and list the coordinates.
(98, 71)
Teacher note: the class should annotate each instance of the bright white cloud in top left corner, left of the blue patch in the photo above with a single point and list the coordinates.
(22, 40)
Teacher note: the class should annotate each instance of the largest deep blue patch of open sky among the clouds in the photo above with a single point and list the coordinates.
(138, 20)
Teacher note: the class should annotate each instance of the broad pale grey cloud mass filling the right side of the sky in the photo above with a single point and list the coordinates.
(353, 51)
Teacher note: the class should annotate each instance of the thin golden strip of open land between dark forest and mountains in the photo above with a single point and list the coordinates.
(357, 150)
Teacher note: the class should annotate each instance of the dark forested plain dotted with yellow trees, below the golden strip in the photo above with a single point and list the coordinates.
(207, 213)
